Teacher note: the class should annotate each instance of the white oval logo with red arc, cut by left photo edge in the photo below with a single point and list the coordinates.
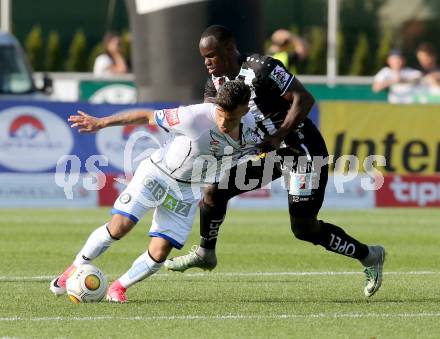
(32, 138)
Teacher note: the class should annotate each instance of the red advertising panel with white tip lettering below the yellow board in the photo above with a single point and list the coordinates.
(409, 191)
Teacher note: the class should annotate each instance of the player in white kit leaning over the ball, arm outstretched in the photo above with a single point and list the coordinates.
(207, 140)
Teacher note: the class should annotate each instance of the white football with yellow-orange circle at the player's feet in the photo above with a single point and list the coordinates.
(86, 284)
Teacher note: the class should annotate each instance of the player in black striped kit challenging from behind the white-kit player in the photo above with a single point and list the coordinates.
(280, 105)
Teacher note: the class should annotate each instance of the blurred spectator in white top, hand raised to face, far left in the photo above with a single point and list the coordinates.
(111, 62)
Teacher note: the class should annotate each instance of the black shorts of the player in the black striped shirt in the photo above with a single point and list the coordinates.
(303, 166)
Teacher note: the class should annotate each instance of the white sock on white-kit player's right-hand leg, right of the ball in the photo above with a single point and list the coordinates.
(142, 267)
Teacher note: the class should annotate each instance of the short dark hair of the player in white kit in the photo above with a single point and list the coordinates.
(233, 94)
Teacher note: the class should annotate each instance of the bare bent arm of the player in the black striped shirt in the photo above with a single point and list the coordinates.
(301, 104)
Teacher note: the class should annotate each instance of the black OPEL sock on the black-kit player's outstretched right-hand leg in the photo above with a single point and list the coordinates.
(334, 239)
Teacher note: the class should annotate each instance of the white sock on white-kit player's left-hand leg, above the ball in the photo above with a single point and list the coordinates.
(97, 243)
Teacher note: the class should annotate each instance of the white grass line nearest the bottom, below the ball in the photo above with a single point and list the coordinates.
(230, 317)
